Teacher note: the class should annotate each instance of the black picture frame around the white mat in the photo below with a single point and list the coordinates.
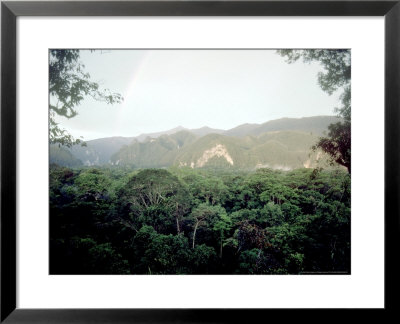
(10, 10)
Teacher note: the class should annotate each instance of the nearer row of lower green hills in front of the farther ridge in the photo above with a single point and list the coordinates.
(279, 150)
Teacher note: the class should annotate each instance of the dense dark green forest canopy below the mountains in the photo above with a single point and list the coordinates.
(198, 221)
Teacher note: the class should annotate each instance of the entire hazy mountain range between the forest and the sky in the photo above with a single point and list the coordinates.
(279, 144)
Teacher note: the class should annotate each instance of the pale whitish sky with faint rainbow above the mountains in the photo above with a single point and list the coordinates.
(163, 89)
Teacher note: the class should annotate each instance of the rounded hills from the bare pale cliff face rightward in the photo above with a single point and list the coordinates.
(281, 150)
